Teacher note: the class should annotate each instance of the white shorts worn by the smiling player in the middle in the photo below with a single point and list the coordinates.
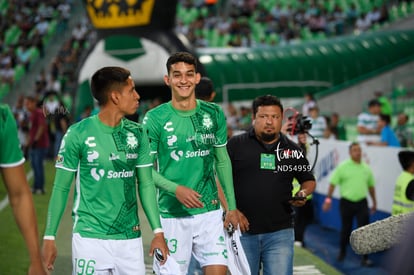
(202, 235)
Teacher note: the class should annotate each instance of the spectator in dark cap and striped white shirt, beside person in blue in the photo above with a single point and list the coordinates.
(367, 124)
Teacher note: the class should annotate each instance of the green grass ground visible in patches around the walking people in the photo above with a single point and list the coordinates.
(14, 256)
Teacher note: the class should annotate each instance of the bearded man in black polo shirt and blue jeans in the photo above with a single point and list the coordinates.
(264, 164)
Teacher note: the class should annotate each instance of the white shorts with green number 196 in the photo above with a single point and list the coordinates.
(107, 257)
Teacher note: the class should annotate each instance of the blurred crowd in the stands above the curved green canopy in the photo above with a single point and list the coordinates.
(255, 23)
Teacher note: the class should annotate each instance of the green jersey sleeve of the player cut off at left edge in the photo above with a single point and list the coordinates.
(10, 153)
